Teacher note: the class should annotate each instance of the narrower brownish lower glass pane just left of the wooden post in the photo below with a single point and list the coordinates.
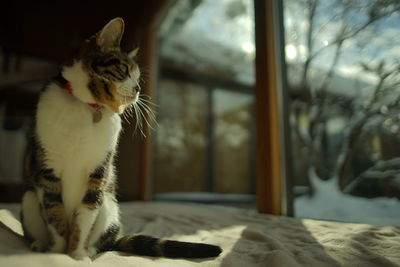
(233, 142)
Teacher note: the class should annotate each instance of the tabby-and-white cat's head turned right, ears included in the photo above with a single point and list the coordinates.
(102, 72)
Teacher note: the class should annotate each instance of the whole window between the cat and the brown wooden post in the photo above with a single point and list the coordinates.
(204, 142)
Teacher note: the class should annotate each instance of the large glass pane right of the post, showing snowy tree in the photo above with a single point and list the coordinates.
(343, 68)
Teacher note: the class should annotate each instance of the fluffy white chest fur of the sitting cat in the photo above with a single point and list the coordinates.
(70, 137)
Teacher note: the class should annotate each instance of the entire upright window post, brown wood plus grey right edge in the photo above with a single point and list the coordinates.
(272, 157)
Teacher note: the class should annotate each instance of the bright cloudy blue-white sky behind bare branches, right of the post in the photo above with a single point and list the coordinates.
(378, 41)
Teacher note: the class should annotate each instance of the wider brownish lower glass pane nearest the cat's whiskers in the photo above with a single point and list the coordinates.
(181, 142)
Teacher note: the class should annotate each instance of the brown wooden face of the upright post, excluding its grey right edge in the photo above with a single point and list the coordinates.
(268, 162)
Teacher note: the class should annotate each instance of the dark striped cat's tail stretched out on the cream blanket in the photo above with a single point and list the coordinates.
(155, 247)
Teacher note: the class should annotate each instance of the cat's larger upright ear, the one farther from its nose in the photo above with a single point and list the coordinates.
(111, 34)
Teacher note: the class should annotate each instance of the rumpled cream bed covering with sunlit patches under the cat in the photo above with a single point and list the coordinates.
(247, 238)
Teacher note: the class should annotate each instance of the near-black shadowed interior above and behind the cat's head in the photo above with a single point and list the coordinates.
(54, 29)
